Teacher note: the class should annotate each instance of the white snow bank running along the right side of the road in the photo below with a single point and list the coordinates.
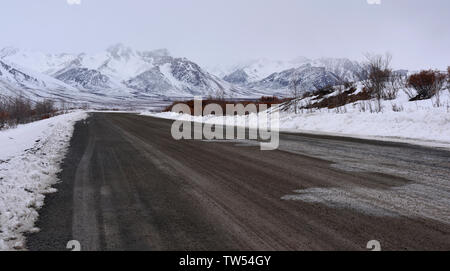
(419, 122)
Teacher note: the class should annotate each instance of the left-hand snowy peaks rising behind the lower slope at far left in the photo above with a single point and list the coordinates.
(125, 71)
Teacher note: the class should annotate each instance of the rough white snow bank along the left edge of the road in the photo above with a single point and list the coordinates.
(30, 156)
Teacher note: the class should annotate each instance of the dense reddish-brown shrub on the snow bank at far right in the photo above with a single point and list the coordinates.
(427, 84)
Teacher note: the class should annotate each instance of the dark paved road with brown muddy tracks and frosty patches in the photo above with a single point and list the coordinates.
(127, 185)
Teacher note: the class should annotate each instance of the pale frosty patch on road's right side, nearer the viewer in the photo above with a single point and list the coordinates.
(424, 199)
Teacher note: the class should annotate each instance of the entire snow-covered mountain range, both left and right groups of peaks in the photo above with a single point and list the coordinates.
(121, 74)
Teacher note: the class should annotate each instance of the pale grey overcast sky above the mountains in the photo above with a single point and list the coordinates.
(415, 32)
